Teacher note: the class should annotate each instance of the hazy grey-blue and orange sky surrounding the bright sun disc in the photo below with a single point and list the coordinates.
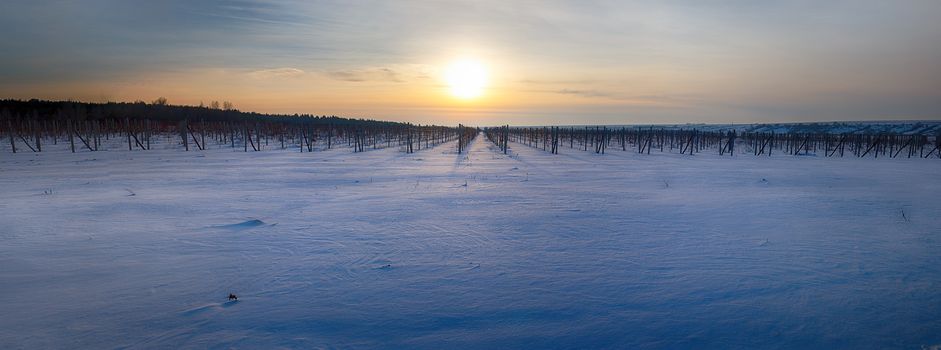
(545, 62)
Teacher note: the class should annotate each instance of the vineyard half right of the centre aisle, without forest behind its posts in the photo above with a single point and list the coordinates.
(601, 139)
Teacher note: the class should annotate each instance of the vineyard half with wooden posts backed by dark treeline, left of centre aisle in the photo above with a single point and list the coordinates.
(79, 127)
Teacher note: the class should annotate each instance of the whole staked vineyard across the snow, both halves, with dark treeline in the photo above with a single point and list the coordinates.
(31, 126)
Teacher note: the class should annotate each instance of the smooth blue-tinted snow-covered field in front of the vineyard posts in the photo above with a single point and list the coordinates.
(438, 250)
